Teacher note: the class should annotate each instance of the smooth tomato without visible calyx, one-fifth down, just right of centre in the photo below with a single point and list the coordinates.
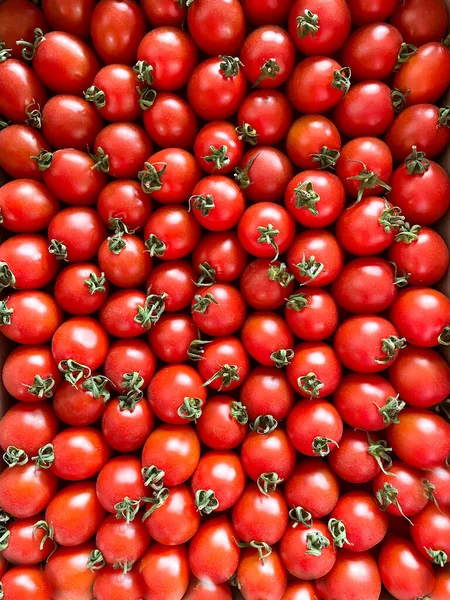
(269, 113)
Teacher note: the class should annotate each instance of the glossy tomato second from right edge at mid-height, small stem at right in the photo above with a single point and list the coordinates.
(367, 285)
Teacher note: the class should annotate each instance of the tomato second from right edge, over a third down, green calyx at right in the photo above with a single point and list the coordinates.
(367, 227)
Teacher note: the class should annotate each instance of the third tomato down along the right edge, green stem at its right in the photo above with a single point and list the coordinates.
(421, 125)
